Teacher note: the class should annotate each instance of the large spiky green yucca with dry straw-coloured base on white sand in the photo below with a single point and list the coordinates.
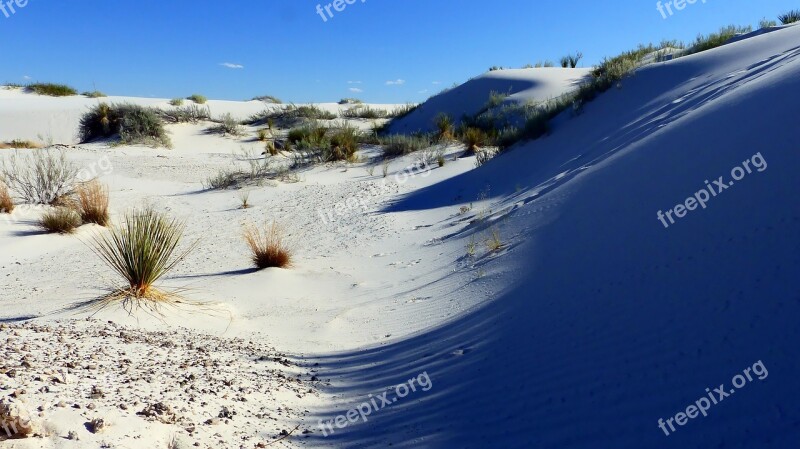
(142, 250)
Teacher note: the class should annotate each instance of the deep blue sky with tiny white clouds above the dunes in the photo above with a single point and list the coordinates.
(377, 50)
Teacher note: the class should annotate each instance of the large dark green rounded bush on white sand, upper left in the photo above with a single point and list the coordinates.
(133, 123)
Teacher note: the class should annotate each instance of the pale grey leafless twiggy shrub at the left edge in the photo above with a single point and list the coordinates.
(40, 177)
